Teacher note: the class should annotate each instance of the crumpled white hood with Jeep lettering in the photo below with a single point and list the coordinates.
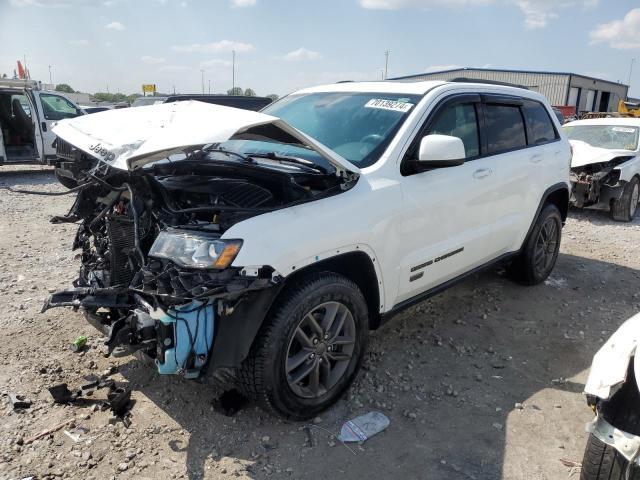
(129, 138)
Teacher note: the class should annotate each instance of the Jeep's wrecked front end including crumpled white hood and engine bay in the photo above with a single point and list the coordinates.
(155, 275)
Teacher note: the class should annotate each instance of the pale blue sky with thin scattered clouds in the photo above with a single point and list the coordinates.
(283, 45)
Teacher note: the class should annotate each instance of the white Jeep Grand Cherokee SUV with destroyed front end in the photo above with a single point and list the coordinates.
(267, 244)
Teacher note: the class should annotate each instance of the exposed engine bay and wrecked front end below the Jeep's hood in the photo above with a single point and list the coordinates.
(155, 275)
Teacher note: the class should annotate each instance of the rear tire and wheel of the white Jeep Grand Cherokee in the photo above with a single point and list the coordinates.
(540, 250)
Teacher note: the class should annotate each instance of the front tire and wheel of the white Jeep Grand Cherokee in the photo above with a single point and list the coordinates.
(310, 349)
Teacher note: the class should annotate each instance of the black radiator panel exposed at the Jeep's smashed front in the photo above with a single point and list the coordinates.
(121, 242)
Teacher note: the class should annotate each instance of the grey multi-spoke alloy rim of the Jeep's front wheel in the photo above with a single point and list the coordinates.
(320, 350)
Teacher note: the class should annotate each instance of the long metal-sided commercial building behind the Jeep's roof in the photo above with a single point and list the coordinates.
(573, 92)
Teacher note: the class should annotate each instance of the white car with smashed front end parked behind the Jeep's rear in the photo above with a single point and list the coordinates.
(605, 170)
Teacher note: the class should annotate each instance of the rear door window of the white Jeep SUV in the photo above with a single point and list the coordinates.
(504, 127)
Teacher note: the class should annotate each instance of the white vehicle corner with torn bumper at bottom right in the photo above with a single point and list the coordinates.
(613, 448)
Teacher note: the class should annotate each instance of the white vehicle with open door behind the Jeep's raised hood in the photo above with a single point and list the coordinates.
(27, 114)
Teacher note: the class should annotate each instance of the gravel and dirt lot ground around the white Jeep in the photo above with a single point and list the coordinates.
(481, 382)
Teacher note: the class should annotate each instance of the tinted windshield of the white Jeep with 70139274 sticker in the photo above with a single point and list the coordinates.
(357, 126)
